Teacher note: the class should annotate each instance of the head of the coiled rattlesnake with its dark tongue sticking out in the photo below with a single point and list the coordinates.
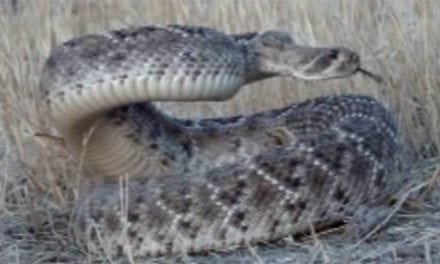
(279, 55)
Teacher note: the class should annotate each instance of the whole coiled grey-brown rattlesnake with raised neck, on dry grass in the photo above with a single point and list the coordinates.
(212, 183)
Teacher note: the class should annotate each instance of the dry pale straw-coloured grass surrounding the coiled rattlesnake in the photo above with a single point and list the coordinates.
(38, 181)
